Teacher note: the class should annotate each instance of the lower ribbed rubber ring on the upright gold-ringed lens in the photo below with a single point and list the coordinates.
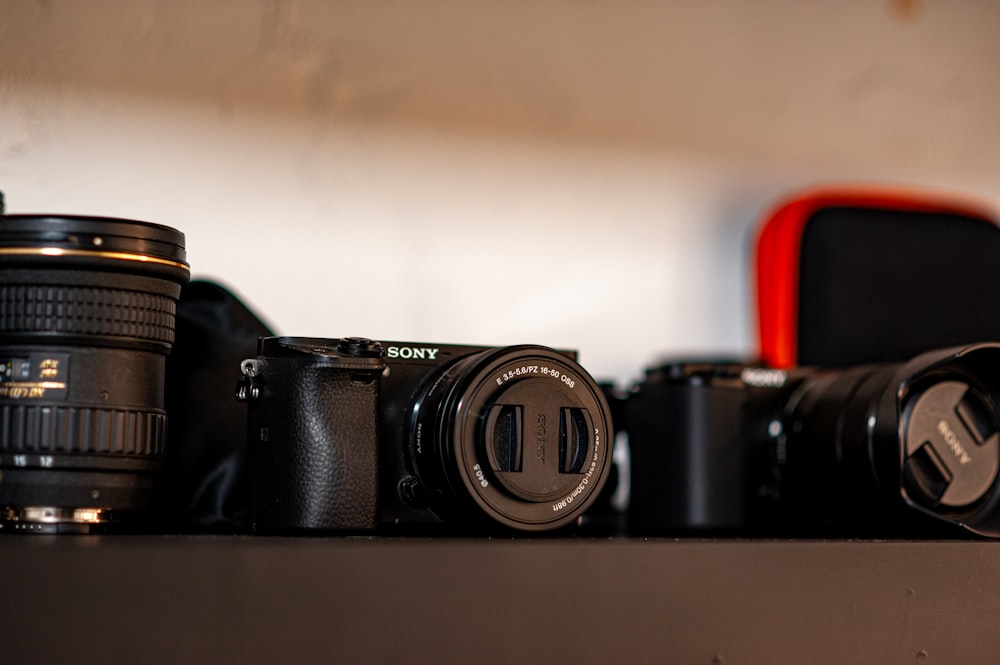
(67, 429)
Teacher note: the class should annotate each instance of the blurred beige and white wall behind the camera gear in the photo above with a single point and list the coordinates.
(571, 173)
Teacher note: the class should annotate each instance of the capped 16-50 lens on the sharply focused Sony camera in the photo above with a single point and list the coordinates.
(522, 432)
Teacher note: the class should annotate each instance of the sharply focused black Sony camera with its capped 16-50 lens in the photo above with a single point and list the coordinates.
(353, 435)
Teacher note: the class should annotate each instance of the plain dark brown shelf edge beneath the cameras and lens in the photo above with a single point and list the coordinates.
(262, 599)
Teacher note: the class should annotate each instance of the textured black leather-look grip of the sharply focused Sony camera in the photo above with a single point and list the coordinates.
(314, 459)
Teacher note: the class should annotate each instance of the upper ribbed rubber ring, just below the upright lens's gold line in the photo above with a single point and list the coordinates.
(87, 311)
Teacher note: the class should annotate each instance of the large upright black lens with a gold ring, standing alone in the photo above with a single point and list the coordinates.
(87, 308)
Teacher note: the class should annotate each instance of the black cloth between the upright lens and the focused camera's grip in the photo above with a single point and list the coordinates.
(203, 483)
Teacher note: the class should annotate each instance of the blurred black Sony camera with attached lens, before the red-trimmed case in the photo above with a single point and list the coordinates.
(872, 450)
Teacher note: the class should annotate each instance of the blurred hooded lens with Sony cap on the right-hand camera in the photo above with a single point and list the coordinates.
(927, 431)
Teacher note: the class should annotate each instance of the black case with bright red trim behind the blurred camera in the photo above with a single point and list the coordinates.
(852, 276)
